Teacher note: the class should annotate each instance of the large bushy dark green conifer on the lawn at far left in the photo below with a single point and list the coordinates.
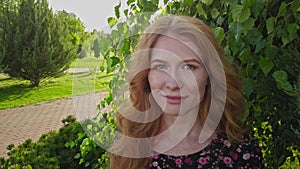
(35, 45)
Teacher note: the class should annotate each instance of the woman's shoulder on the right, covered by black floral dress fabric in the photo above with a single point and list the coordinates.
(244, 153)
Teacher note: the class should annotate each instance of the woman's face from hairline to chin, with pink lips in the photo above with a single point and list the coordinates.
(177, 77)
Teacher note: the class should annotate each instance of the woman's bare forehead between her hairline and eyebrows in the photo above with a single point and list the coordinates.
(170, 47)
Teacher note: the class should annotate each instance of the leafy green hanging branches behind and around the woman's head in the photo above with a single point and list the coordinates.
(260, 37)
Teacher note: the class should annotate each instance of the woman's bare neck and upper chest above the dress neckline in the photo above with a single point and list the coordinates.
(179, 134)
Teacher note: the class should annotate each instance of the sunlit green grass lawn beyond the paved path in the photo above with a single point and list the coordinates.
(15, 92)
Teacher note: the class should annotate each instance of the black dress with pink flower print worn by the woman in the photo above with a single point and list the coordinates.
(220, 153)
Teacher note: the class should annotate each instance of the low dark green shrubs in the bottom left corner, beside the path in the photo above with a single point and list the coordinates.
(60, 149)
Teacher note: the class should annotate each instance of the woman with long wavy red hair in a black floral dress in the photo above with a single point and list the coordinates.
(188, 101)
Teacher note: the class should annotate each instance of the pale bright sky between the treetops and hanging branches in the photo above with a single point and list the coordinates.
(93, 13)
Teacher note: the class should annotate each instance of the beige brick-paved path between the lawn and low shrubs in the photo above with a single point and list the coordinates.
(31, 121)
